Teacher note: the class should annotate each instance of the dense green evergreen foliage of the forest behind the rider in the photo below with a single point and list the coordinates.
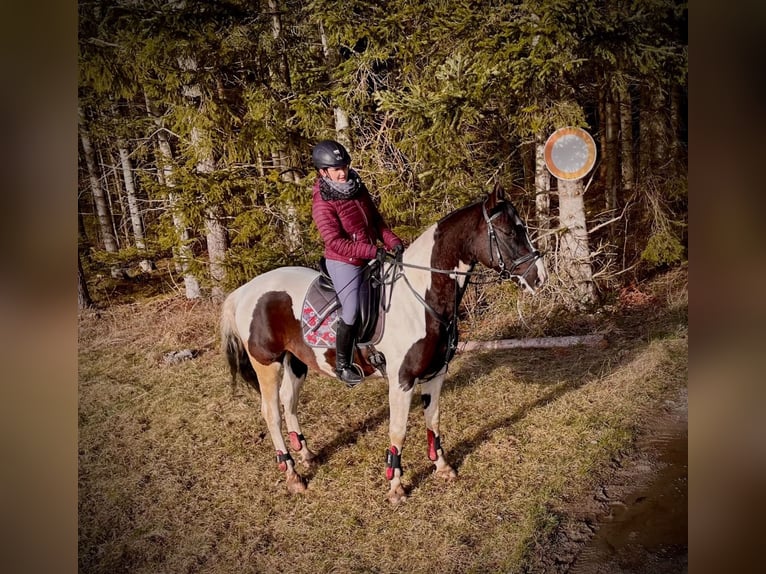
(441, 96)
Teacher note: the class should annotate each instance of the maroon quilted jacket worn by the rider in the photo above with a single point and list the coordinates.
(350, 228)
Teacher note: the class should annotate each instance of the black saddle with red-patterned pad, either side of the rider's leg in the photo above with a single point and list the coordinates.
(319, 315)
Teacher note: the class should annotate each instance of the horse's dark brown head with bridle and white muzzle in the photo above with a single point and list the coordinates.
(508, 249)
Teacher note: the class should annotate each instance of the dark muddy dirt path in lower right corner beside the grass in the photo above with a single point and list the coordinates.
(637, 521)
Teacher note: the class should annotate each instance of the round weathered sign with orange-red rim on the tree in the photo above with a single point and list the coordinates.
(570, 153)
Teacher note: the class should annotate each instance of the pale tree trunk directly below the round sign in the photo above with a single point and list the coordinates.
(574, 253)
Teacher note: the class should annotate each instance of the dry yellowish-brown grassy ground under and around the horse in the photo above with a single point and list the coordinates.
(177, 473)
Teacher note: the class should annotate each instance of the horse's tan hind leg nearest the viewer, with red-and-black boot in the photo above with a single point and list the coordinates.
(269, 378)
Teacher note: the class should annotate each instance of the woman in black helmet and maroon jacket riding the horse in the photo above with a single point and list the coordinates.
(350, 226)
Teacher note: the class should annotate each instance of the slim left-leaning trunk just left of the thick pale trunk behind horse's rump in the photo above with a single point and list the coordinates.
(183, 253)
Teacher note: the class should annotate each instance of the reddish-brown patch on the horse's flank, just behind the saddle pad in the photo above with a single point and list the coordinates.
(274, 330)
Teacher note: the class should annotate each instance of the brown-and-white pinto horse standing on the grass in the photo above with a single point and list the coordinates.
(262, 337)
